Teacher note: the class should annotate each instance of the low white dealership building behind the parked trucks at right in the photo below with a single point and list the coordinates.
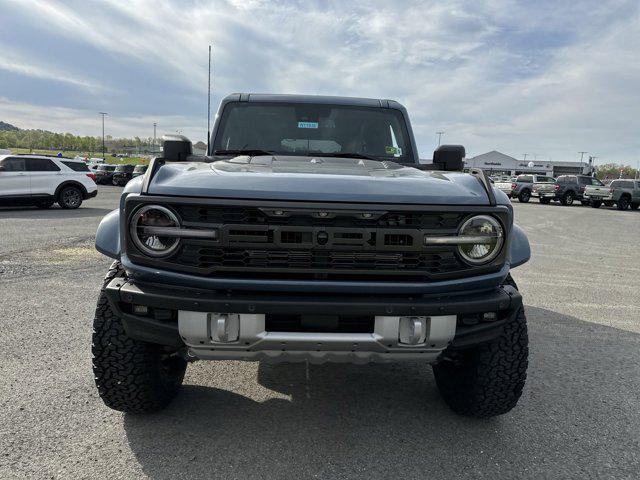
(495, 162)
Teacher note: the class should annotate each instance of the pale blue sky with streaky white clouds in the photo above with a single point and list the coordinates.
(549, 78)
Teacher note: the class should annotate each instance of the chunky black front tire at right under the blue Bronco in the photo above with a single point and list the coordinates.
(488, 379)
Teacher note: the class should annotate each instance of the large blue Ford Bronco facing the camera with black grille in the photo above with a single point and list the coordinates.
(311, 232)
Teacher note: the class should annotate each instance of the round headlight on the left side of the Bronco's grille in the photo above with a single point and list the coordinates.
(148, 229)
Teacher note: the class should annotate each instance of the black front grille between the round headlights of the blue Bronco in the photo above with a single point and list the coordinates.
(307, 242)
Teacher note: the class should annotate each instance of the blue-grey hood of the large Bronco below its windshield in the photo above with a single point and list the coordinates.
(318, 179)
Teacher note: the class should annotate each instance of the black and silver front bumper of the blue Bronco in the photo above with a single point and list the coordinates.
(185, 320)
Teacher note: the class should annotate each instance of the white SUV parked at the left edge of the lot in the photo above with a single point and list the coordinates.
(40, 180)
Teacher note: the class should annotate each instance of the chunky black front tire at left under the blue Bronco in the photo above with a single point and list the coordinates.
(131, 376)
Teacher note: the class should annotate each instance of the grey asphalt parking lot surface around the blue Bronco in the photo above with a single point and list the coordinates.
(578, 418)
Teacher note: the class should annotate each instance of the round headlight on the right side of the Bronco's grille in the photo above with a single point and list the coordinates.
(482, 239)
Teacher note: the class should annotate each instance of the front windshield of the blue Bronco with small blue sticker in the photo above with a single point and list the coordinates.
(314, 129)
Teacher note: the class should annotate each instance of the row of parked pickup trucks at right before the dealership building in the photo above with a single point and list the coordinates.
(568, 189)
